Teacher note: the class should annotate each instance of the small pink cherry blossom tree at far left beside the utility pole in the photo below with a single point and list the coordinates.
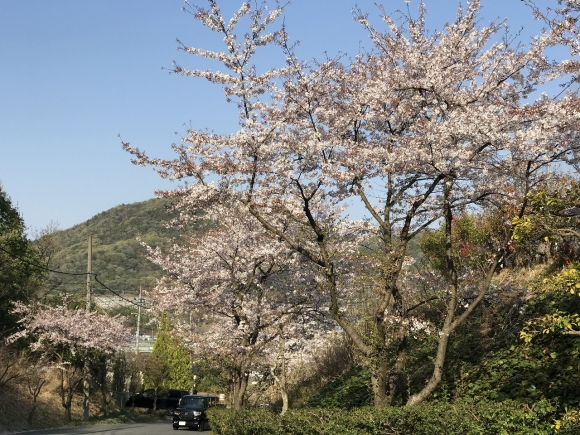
(65, 338)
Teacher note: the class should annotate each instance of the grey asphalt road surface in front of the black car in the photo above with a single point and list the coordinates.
(115, 429)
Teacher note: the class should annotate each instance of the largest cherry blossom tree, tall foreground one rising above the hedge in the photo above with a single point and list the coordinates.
(424, 127)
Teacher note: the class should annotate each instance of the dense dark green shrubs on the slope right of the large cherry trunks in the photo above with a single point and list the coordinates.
(501, 353)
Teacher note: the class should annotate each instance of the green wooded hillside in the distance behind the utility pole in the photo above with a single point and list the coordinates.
(118, 257)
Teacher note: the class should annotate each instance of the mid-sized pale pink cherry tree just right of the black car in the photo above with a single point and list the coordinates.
(239, 283)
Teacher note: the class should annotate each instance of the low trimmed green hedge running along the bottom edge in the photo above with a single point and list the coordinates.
(464, 417)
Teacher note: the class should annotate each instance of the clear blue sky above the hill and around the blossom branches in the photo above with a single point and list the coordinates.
(75, 74)
